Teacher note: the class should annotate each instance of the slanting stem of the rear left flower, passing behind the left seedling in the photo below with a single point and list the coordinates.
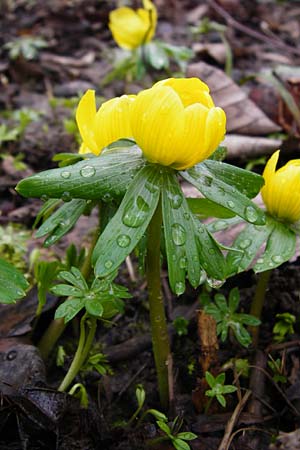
(57, 326)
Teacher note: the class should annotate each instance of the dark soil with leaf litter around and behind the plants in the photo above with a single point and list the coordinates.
(34, 415)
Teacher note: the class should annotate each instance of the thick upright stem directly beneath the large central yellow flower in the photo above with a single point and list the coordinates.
(159, 331)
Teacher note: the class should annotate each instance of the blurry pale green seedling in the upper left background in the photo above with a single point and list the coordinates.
(26, 46)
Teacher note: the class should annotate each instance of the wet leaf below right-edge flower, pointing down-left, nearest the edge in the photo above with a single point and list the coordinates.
(281, 246)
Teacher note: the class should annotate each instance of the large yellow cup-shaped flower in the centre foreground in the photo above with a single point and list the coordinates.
(175, 122)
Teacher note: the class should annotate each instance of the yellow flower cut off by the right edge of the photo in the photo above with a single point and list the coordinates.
(281, 192)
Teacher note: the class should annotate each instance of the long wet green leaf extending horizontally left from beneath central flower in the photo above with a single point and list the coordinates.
(104, 177)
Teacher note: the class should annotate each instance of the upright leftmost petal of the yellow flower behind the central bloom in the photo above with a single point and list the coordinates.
(85, 117)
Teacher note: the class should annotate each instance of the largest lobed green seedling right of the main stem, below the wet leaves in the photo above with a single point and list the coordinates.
(228, 318)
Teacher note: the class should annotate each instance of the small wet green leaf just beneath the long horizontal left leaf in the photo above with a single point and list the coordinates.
(61, 221)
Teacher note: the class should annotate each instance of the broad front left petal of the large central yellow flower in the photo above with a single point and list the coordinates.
(157, 122)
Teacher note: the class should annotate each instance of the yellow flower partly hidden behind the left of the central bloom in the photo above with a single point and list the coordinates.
(100, 128)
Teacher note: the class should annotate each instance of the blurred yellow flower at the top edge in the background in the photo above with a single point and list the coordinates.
(131, 28)
